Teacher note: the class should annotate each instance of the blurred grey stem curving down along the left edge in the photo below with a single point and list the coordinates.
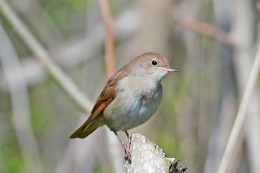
(21, 118)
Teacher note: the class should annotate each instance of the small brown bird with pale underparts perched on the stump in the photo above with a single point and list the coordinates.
(130, 97)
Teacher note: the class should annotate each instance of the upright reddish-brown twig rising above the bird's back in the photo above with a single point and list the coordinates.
(109, 52)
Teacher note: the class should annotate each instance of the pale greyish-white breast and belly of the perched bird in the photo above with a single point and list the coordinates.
(135, 102)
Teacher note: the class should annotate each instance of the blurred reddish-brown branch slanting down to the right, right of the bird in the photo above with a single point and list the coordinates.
(204, 29)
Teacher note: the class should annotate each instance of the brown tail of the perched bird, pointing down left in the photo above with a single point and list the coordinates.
(88, 127)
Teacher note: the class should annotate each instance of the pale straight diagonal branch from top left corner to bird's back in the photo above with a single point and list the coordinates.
(44, 57)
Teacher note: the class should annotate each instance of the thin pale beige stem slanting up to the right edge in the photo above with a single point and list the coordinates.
(241, 115)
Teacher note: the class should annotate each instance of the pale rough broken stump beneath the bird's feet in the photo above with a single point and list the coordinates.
(146, 156)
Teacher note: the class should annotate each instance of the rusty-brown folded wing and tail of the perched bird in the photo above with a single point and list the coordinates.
(106, 97)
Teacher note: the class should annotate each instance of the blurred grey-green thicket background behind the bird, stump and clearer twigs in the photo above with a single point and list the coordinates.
(212, 43)
